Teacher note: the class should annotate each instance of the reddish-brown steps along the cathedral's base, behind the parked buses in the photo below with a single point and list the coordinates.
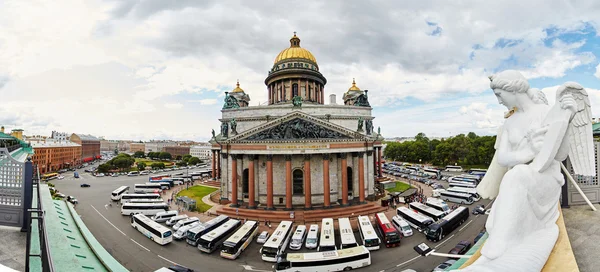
(301, 215)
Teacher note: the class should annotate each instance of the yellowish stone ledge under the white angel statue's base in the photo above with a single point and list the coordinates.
(561, 258)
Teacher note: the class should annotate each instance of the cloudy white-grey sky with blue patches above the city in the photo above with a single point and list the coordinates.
(157, 69)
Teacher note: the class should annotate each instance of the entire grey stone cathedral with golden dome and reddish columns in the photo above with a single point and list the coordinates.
(295, 151)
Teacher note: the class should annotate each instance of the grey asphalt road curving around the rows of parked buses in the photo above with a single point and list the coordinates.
(138, 253)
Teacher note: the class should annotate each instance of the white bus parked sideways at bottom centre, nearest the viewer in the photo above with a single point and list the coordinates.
(338, 260)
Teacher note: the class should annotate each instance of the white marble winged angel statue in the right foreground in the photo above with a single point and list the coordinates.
(525, 176)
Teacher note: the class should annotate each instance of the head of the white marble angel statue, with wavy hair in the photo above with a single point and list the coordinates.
(507, 85)
